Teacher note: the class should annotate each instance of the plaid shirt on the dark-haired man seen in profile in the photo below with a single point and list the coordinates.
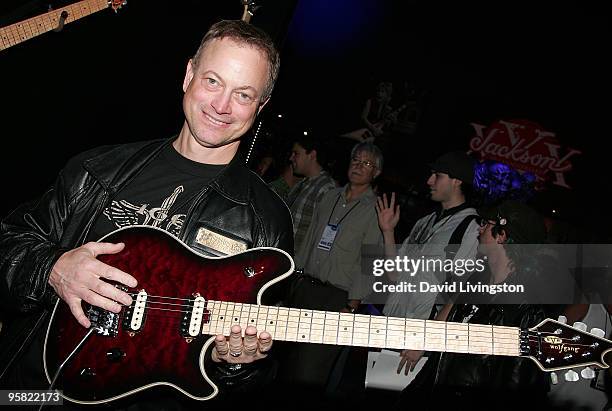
(302, 200)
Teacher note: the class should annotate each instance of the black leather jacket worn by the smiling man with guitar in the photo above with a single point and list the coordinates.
(33, 236)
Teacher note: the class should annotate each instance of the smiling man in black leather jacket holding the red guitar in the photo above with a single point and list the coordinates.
(189, 185)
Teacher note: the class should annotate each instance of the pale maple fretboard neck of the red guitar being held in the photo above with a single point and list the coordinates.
(328, 327)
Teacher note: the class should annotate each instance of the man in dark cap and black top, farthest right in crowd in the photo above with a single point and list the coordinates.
(465, 381)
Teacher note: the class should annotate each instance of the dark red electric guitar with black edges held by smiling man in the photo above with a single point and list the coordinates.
(184, 299)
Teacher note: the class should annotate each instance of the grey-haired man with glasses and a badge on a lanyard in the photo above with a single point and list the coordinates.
(343, 221)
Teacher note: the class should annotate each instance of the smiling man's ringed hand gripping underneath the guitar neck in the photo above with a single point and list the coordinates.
(236, 349)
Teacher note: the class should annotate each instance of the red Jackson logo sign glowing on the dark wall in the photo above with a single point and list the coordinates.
(525, 146)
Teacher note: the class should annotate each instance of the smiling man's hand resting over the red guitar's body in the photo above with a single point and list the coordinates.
(77, 276)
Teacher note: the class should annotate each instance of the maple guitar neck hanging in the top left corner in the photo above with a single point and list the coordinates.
(35, 26)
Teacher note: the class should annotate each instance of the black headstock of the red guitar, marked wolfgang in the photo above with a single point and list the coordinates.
(557, 346)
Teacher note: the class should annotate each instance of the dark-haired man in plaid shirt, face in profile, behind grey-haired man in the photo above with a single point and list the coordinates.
(307, 157)
